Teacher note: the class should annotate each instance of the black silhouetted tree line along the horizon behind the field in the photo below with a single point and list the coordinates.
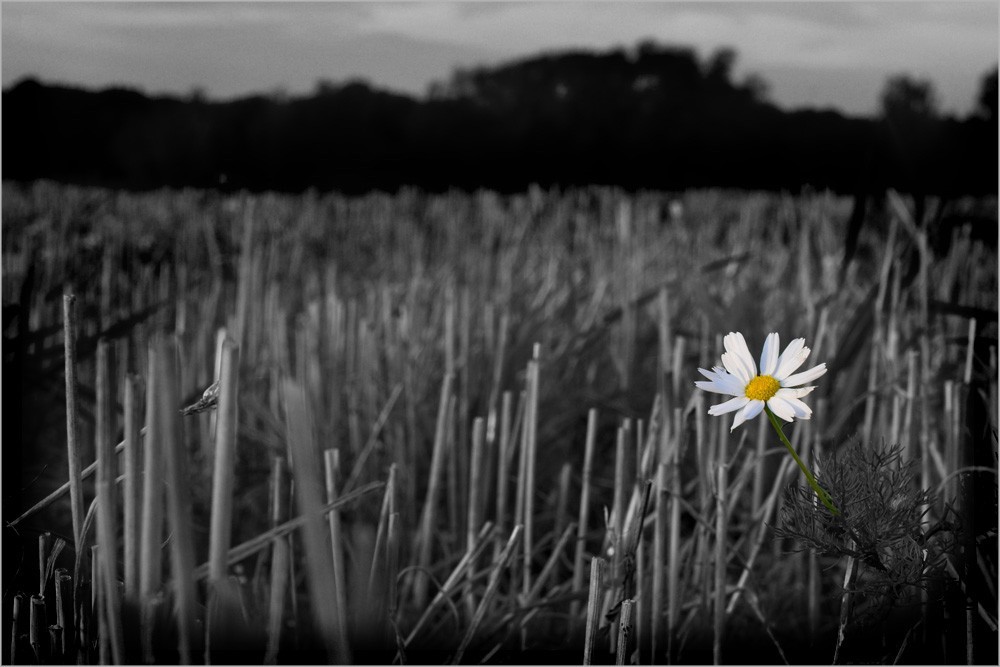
(648, 117)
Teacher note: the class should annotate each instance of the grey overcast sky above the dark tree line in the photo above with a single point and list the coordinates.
(813, 54)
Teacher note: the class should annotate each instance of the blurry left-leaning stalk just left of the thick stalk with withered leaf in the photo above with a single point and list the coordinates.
(168, 436)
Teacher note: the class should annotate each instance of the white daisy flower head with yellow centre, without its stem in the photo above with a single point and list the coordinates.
(777, 386)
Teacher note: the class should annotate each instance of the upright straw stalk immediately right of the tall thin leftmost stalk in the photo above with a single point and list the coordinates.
(106, 510)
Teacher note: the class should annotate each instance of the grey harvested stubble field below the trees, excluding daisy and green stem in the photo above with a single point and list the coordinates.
(464, 427)
